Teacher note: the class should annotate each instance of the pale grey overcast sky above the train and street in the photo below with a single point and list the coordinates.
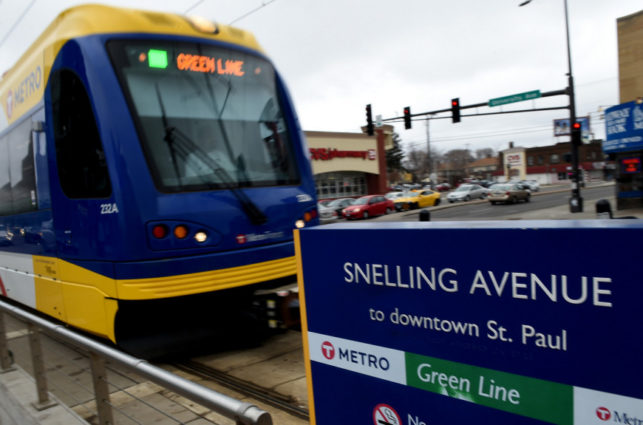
(338, 55)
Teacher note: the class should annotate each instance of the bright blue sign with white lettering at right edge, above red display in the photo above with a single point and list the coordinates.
(624, 128)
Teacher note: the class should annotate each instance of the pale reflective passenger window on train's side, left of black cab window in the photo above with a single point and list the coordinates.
(21, 169)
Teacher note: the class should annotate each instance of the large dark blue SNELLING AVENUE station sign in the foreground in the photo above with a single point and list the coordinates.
(531, 322)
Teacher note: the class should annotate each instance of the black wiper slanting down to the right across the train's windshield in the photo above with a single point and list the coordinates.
(179, 143)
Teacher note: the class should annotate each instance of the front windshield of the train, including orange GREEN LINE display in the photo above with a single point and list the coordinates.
(208, 117)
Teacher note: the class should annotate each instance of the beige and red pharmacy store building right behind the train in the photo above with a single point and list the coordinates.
(348, 164)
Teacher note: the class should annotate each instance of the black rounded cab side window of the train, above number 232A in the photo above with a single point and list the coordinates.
(82, 168)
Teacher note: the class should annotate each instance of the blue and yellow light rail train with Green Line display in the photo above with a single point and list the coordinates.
(152, 169)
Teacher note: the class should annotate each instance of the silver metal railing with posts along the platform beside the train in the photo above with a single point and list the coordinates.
(241, 412)
